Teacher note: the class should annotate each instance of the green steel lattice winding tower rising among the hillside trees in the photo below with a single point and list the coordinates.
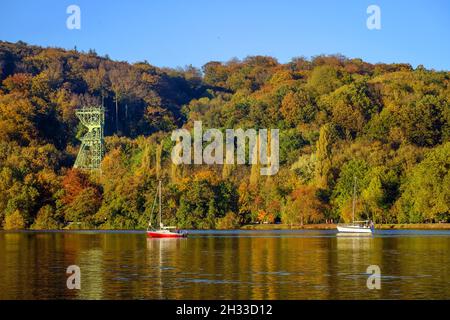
(92, 144)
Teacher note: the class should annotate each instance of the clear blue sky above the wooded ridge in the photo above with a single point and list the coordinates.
(177, 33)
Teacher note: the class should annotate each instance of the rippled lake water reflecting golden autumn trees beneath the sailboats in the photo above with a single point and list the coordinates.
(225, 265)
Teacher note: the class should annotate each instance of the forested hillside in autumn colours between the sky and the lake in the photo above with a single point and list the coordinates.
(388, 125)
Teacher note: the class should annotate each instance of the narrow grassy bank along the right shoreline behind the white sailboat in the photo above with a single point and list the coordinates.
(417, 226)
